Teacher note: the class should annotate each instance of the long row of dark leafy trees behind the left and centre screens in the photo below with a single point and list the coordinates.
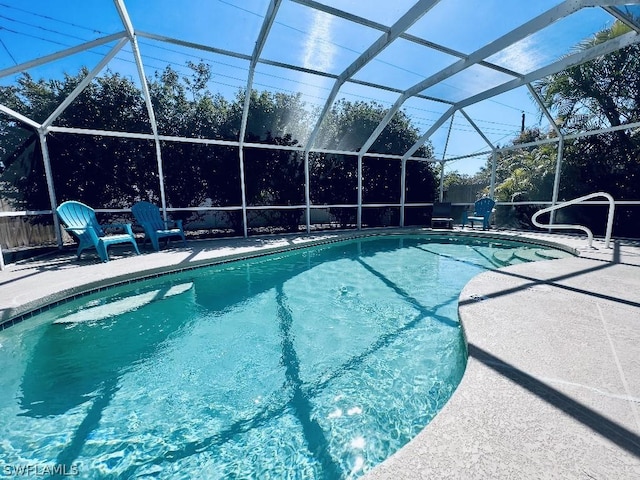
(114, 172)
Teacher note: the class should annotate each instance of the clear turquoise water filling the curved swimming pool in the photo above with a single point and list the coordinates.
(316, 363)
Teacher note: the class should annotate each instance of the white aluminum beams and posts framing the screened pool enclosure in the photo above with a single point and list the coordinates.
(389, 34)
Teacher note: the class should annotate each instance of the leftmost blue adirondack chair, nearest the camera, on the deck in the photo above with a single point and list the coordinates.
(80, 220)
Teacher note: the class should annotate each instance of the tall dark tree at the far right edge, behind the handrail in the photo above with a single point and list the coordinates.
(600, 93)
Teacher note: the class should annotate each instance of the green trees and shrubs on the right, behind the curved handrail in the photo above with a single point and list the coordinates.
(598, 94)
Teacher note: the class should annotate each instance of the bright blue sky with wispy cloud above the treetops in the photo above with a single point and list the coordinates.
(310, 39)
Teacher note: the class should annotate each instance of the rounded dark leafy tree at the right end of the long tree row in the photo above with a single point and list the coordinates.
(347, 126)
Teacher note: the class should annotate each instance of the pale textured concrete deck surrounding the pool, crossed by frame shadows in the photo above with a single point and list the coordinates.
(552, 385)
